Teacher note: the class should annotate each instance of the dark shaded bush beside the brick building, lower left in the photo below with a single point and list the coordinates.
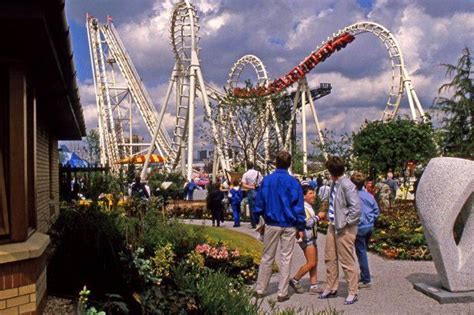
(86, 244)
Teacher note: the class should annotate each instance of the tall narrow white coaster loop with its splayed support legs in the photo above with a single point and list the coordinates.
(186, 80)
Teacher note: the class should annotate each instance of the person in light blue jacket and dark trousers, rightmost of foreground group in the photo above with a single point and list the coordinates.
(369, 213)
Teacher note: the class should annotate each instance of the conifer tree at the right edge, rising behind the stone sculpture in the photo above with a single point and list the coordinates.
(457, 132)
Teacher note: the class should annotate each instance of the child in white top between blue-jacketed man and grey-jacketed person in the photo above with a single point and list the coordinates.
(309, 245)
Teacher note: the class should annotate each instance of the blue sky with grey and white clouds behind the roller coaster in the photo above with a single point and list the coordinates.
(282, 33)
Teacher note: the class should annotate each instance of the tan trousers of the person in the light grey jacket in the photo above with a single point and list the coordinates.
(340, 248)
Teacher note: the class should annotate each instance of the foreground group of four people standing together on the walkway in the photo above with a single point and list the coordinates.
(286, 206)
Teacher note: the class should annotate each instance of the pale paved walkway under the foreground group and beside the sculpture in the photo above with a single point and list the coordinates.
(391, 293)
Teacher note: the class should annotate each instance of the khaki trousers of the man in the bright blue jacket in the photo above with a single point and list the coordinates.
(273, 236)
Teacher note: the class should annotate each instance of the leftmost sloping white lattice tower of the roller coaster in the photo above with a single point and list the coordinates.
(107, 54)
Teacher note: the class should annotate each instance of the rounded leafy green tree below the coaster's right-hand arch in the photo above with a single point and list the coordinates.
(379, 146)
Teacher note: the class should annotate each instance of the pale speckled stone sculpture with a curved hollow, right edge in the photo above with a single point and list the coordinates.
(445, 202)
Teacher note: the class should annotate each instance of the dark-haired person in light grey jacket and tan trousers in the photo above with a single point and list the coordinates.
(343, 215)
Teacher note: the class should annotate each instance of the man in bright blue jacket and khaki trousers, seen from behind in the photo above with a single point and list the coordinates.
(280, 201)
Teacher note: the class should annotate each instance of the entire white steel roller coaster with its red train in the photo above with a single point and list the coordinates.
(115, 101)
